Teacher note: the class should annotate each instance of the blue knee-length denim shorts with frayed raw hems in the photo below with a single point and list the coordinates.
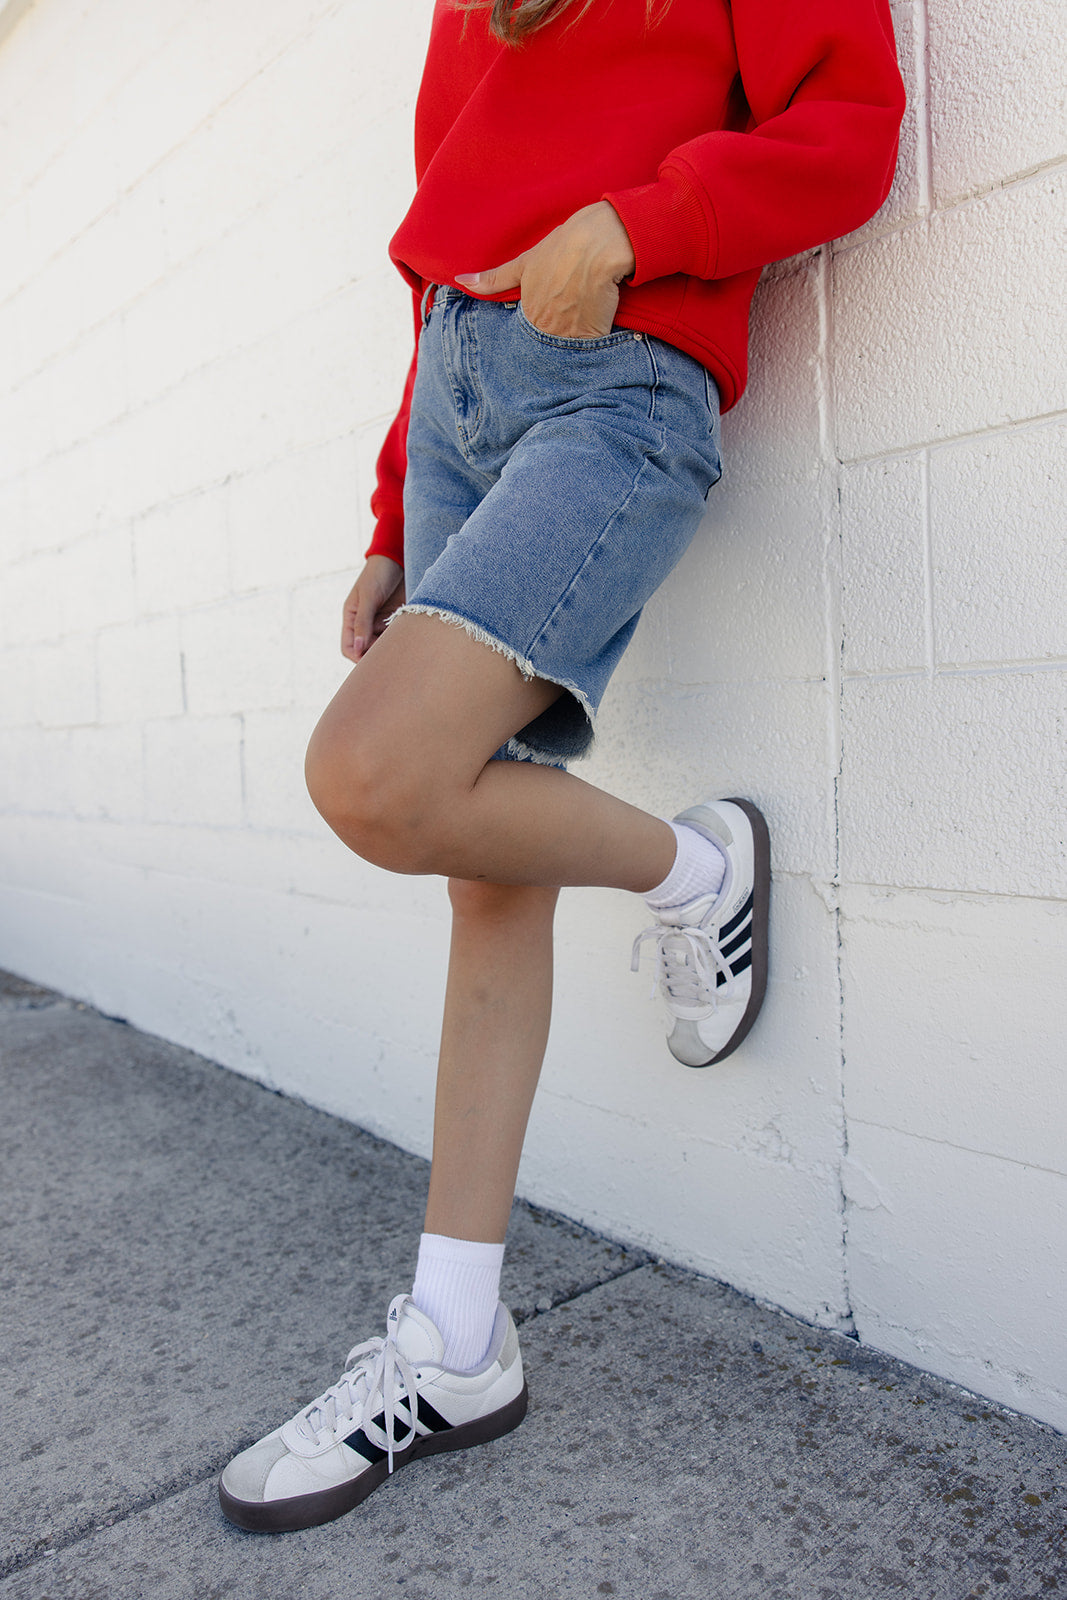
(553, 484)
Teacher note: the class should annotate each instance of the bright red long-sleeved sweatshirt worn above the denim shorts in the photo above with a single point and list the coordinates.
(727, 135)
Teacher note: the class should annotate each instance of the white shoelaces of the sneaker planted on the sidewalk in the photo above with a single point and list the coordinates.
(370, 1372)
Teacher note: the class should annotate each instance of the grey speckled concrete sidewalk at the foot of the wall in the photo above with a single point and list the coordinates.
(188, 1258)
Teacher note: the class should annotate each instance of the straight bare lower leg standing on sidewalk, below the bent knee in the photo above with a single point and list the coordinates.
(494, 1041)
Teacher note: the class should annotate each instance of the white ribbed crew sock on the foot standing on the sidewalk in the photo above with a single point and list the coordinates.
(458, 1287)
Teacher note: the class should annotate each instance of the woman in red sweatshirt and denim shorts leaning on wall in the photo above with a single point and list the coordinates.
(599, 188)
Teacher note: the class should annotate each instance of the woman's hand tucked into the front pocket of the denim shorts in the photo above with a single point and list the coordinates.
(570, 281)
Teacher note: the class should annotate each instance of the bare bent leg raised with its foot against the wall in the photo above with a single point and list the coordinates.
(401, 769)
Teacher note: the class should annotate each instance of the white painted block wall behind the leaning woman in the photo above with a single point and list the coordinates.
(202, 345)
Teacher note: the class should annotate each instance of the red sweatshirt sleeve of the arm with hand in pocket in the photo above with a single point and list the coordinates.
(817, 161)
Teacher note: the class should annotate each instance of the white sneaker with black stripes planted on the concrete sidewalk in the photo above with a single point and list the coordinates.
(394, 1402)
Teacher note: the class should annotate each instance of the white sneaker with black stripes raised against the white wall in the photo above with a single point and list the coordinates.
(711, 953)
